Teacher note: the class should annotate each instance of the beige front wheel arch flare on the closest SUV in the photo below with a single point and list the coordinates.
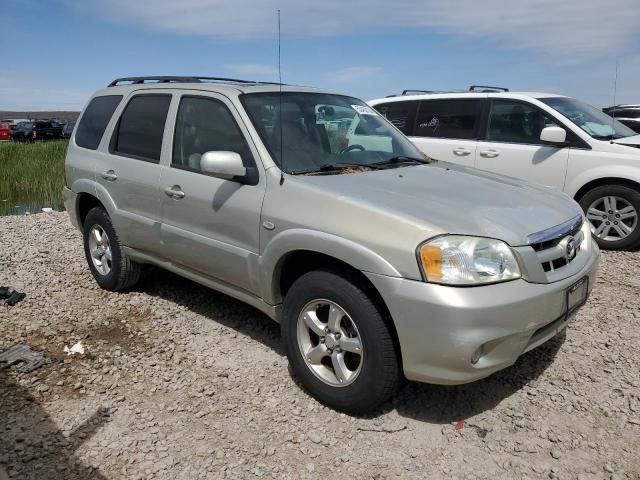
(296, 239)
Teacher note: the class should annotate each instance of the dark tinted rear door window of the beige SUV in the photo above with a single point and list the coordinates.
(141, 127)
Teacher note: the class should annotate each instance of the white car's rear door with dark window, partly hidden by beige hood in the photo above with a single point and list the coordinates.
(447, 129)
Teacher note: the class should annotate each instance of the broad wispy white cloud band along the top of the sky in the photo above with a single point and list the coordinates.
(571, 29)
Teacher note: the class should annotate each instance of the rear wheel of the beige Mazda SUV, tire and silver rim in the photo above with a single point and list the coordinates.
(111, 268)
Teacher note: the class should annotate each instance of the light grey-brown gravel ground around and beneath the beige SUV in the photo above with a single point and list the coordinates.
(182, 382)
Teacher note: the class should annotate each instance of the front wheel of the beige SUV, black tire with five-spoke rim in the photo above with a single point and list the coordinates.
(373, 376)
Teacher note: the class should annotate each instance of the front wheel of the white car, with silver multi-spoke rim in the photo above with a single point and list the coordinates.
(621, 206)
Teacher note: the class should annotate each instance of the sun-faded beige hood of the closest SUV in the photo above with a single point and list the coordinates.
(447, 198)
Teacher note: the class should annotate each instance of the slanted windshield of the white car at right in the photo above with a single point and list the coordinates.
(593, 121)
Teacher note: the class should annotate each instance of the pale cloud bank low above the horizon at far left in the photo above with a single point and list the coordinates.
(21, 92)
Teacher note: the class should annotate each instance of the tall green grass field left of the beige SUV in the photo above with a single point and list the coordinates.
(31, 176)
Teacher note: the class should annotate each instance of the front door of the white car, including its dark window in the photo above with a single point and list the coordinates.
(511, 144)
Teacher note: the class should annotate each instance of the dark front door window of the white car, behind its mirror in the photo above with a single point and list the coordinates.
(516, 122)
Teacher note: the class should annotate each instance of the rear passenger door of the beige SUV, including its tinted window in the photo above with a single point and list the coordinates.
(130, 170)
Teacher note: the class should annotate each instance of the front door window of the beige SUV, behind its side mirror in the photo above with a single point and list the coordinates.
(204, 125)
